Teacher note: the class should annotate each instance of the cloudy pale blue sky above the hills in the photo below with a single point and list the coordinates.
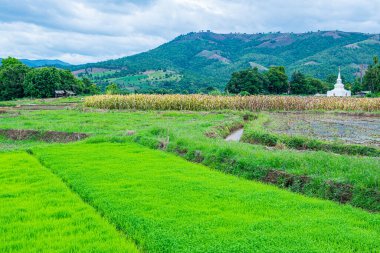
(82, 31)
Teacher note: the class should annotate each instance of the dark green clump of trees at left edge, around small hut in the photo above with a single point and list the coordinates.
(18, 80)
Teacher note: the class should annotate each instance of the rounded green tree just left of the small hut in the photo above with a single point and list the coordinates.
(42, 82)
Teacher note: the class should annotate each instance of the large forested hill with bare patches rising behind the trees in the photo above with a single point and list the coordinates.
(205, 59)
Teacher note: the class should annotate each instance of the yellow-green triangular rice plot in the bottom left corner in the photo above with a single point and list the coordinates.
(38, 213)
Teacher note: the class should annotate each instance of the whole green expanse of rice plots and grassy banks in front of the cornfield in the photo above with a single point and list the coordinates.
(113, 192)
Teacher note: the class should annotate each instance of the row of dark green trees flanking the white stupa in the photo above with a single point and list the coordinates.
(275, 81)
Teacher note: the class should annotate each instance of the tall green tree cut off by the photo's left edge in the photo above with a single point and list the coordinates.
(12, 75)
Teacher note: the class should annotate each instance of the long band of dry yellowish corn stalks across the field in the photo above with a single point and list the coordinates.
(252, 103)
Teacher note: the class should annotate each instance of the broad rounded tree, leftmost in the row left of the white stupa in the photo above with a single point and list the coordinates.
(249, 80)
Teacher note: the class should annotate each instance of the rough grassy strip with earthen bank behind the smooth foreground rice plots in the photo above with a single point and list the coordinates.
(184, 133)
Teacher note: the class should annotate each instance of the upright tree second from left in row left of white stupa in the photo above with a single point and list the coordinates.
(277, 80)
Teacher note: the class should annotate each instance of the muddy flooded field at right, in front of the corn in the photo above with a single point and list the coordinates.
(353, 129)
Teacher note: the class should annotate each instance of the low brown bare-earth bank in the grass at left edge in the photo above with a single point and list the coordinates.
(49, 136)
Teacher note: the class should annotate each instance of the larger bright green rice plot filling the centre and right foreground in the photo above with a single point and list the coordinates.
(168, 204)
